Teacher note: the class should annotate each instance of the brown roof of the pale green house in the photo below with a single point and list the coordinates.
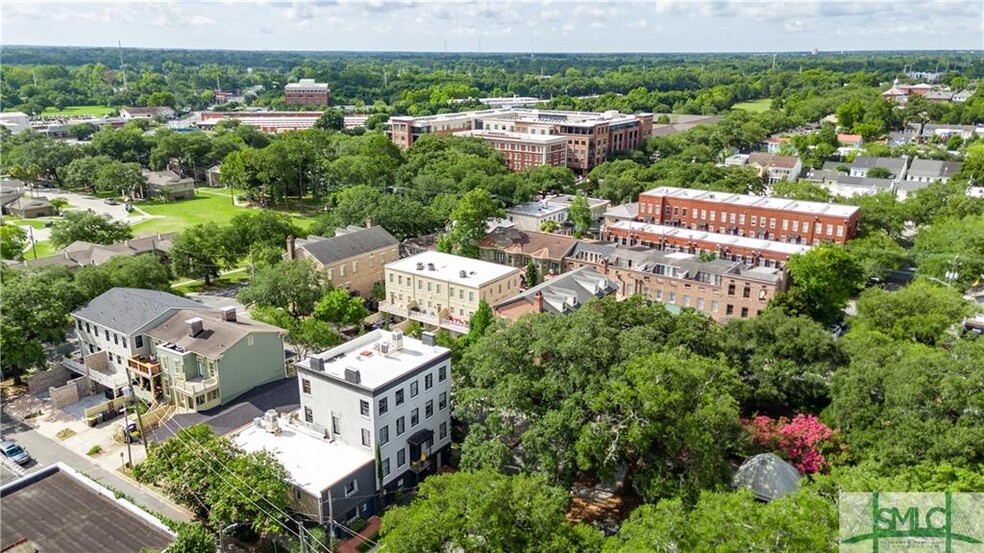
(216, 337)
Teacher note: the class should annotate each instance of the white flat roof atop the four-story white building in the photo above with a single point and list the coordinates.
(376, 369)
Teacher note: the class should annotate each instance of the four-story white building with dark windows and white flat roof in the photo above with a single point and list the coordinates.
(384, 392)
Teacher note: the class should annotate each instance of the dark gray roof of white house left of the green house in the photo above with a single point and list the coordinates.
(127, 310)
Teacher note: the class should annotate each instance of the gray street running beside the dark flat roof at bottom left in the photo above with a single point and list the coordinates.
(47, 452)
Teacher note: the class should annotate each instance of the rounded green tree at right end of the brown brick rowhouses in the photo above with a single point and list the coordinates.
(823, 280)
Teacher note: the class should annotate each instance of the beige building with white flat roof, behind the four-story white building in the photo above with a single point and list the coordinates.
(444, 290)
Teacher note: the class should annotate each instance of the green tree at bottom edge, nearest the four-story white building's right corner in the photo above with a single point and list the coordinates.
(464, 511)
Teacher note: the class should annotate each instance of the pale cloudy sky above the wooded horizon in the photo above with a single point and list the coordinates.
(502, 26)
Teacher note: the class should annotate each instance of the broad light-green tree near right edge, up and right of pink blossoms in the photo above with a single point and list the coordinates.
(921, 312)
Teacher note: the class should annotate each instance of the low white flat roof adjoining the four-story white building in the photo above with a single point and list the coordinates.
(313, 463)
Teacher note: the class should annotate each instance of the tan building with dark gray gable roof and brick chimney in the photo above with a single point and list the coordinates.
(353, 259)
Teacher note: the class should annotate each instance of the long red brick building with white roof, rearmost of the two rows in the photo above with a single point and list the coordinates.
(744, 215)
